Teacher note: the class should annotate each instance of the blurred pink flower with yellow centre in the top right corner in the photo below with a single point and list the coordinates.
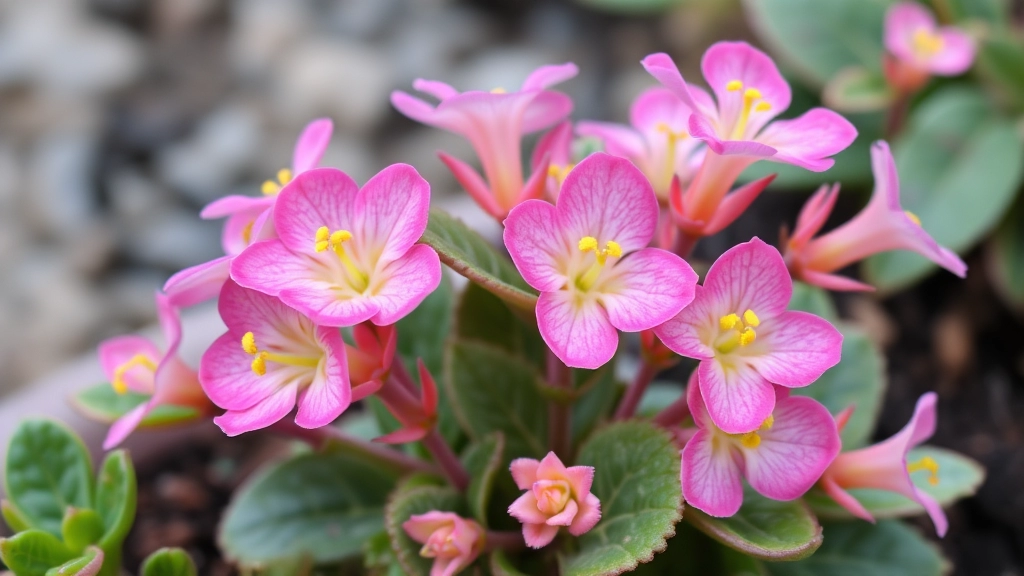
(918, 48)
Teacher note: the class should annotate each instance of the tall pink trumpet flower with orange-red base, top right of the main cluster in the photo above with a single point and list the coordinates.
(739, 131)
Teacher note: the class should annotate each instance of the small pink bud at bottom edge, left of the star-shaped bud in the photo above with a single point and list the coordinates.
(453, 542)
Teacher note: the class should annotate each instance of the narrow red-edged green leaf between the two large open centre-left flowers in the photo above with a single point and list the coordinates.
(468, 254)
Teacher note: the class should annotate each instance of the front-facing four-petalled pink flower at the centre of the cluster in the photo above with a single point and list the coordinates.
(588, 258)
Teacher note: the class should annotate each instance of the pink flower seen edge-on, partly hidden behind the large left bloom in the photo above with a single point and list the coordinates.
(249, 220)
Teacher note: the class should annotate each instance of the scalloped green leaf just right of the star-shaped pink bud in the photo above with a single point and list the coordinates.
(636, 477)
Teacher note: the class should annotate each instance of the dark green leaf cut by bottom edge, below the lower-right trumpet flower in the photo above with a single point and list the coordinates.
(857, 549)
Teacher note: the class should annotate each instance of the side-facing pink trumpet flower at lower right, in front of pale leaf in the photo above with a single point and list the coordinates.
(885, 467)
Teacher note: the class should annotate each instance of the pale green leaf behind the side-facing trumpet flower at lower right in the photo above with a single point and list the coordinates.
(960, 477)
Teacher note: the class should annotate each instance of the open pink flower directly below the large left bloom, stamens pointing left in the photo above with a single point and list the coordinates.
(271, 359)
